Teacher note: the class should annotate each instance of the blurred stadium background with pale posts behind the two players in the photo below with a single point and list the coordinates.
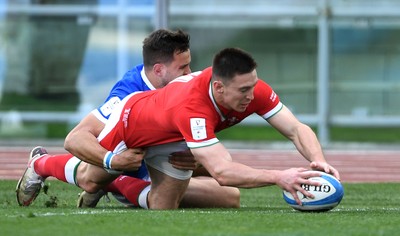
(335, 63)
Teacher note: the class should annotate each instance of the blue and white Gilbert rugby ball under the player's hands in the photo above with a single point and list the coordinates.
(327, 196)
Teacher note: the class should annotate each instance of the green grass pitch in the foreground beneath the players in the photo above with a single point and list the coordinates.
(366, 209)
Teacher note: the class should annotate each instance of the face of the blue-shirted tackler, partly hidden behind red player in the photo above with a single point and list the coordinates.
(178, 67)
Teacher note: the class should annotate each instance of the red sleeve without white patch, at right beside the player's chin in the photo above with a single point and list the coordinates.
(266, 101)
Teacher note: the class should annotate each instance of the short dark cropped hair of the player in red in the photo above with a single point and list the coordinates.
(231, 62)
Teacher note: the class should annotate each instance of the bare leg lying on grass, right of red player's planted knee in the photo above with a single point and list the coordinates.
(205, 192)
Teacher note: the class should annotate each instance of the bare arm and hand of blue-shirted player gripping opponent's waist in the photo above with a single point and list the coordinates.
(82, 142)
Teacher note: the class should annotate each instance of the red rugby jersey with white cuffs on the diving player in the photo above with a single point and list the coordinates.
(185, 110)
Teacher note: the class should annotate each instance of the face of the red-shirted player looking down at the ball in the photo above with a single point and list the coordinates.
(238, 93)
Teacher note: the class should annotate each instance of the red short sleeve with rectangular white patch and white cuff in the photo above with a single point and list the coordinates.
(196, 127)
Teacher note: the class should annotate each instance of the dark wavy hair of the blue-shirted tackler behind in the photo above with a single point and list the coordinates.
(161, 45)
